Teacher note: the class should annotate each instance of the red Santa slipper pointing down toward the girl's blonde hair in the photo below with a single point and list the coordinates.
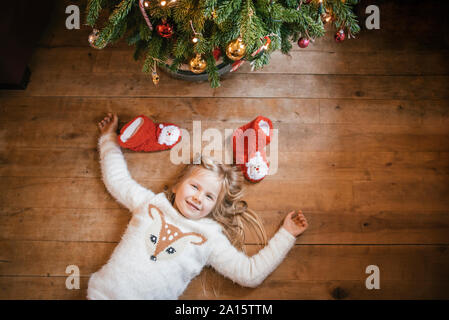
(249, 148)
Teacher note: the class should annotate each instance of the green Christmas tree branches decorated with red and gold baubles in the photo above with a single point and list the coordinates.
(215, 24)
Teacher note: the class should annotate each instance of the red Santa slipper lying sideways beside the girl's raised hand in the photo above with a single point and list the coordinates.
(142, 134)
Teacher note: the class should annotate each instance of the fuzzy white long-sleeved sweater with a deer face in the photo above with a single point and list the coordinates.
(161, 251)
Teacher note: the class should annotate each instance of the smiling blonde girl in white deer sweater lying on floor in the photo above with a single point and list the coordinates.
(171, 236)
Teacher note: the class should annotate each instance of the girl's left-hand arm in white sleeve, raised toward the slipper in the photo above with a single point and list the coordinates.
(114, 170)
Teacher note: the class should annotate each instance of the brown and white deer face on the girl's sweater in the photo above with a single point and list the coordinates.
(164, 240)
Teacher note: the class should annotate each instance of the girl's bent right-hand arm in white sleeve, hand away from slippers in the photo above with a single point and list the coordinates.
(252, 271)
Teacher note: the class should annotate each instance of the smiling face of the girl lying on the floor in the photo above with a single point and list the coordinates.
(196, 196)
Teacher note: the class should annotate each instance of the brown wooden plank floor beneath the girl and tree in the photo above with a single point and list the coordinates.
(363, 151)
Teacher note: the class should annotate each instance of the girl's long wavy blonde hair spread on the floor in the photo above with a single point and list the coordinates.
(230, 210)
